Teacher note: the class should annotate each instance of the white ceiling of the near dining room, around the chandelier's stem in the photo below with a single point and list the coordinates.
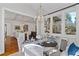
(32, 9)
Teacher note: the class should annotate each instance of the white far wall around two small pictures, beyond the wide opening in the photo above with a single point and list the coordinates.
(11, 26)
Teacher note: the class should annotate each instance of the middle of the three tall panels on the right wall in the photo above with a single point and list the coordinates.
(56, 24)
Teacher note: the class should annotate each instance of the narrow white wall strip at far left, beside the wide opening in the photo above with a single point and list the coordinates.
(1, 32)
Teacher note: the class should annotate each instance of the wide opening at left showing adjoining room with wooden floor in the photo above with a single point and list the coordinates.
(17, 27)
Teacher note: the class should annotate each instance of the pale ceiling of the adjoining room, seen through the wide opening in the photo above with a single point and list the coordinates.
(17, 17)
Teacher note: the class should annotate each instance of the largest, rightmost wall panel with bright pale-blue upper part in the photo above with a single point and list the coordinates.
(70, 23)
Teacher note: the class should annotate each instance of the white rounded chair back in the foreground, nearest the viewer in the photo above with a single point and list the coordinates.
(32, 50)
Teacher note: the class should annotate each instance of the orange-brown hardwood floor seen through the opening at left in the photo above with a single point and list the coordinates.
(11, 46)
